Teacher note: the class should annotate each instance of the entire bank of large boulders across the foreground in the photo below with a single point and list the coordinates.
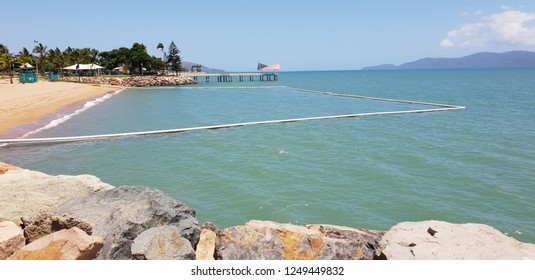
(80, 217)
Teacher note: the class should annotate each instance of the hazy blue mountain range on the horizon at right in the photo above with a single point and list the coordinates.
(482, 60)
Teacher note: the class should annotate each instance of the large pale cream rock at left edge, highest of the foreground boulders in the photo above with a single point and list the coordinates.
(26, 192)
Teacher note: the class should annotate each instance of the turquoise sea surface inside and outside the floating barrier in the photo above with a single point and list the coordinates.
(475, 165)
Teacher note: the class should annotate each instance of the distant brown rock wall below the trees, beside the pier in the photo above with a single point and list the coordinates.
(134, 81)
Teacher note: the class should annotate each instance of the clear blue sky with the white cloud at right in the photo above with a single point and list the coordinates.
(300, 35)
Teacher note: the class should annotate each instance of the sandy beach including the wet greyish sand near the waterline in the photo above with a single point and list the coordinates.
(25, 108)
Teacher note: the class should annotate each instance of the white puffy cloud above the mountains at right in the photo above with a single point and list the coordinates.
(507, 27)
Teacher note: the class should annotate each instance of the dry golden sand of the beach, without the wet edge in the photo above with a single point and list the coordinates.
(21, 104)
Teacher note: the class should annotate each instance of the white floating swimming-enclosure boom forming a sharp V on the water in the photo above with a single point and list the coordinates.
(442, 107)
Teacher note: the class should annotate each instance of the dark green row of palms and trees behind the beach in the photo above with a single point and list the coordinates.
(136, 58)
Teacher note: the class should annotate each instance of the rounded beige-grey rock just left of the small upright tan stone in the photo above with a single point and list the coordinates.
(162, 243)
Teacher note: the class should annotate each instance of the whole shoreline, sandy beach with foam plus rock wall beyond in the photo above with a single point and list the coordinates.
(29, 108)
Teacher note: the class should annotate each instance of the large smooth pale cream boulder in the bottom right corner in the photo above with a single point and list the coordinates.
(436, 240)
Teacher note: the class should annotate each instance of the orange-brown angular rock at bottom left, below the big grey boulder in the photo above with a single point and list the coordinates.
(67, 244)
